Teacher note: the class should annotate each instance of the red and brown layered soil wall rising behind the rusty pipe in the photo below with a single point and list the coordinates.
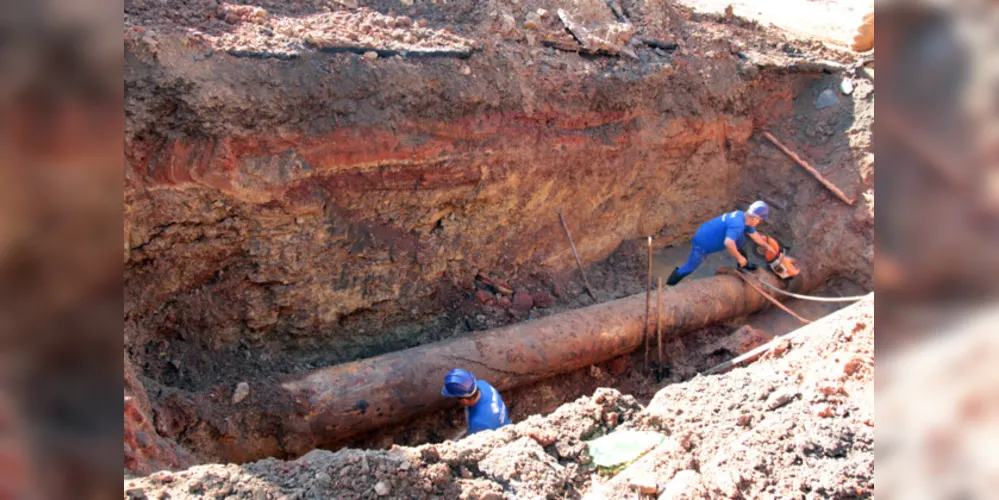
(310, 183)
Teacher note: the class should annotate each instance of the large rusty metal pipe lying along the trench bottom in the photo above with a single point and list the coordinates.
(298, 414)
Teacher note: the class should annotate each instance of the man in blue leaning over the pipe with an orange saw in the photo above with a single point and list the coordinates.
(725, 232)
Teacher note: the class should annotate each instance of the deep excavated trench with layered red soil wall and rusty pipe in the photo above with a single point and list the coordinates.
(323, 229)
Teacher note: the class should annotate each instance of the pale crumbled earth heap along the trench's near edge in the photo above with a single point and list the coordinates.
(798, 423)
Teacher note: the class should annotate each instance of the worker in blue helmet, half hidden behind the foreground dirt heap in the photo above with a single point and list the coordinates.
(484, 408)
